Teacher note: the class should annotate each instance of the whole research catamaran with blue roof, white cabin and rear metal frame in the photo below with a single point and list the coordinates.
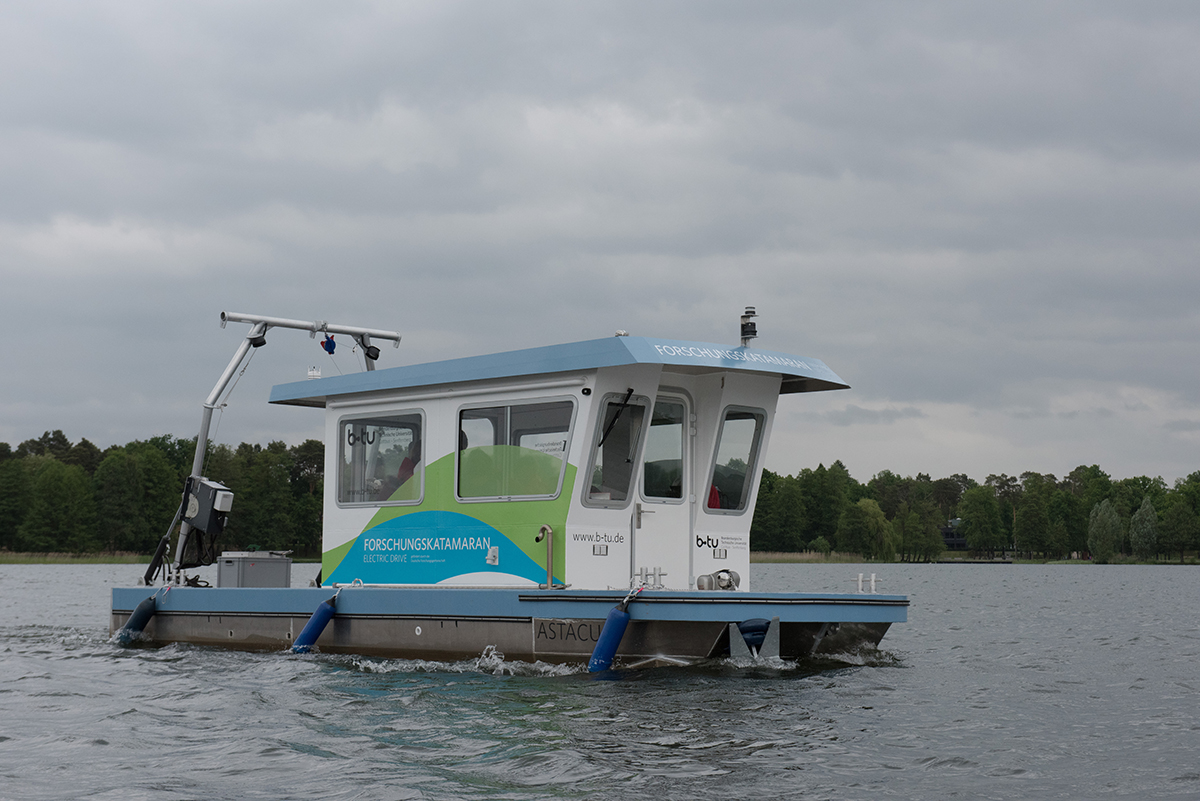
(575, 503)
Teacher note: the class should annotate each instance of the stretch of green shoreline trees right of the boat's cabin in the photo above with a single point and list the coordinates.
(1084, 515)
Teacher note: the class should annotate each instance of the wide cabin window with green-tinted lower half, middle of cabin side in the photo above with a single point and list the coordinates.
(514, 450)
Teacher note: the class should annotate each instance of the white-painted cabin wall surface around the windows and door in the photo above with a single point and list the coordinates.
(590, 526)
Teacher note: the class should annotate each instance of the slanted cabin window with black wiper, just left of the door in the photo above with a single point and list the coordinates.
(615, 451)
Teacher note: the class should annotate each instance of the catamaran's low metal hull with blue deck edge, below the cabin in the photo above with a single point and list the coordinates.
(559, 627)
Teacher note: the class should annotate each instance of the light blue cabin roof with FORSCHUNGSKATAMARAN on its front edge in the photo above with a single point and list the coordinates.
(800, 374)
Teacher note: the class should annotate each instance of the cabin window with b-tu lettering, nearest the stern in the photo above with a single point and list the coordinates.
(380, 460)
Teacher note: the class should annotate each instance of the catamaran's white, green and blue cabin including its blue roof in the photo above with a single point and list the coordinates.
(601, 465)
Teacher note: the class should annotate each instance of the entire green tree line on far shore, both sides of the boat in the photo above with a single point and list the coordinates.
(75, 498)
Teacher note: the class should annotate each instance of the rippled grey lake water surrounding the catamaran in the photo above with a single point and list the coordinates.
(1007, 683)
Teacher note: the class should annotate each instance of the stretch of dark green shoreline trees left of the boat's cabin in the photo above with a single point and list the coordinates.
(58, 497)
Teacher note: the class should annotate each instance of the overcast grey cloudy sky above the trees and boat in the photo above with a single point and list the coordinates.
(982, 216)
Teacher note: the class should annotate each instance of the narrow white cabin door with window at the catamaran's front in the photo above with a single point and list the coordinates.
(663, 513)
